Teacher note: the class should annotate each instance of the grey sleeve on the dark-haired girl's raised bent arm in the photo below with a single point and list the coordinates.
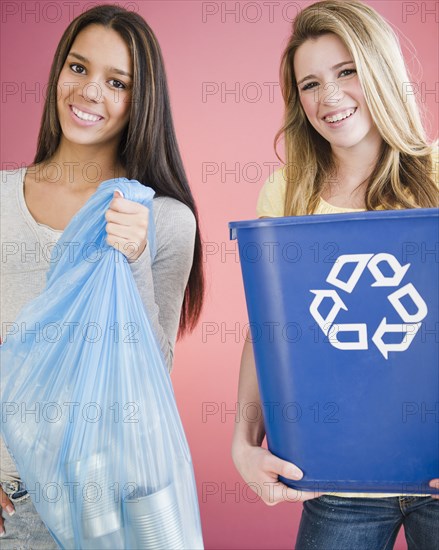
(162, 282)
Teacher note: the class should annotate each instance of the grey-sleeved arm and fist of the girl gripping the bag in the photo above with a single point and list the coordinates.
(162, 281)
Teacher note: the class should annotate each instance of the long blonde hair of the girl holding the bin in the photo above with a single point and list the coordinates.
(402, 176)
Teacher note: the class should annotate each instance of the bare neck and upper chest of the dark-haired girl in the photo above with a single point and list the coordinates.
(82, 166)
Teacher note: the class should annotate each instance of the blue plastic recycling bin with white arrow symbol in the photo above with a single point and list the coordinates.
(343, 312)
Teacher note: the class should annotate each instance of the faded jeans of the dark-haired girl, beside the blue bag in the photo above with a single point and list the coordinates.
(24, 530)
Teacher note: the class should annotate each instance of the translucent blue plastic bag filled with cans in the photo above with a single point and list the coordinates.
(88, 410)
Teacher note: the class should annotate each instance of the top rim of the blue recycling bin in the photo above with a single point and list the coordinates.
(331, 218)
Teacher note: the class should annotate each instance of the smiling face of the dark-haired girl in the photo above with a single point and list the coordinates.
(94, 88)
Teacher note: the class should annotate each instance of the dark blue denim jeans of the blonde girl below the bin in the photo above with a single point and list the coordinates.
(335, 523)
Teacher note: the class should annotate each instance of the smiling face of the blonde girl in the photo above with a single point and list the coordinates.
(331, 95)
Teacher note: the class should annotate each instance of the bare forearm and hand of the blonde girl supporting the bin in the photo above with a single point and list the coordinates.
(257, 466)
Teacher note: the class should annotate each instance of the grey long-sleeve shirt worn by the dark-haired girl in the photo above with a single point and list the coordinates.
(25, 260)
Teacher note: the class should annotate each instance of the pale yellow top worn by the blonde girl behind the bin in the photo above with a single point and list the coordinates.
(271, 204)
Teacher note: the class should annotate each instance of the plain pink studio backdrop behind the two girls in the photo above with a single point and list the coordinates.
(222, 62)
